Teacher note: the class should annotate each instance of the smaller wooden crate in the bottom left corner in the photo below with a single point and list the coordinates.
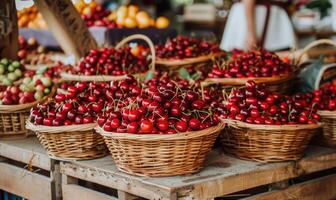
(27, 171)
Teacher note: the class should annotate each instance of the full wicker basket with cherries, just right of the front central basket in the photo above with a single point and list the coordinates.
(266, 126)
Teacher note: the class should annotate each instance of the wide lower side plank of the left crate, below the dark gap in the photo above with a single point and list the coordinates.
(24, 183)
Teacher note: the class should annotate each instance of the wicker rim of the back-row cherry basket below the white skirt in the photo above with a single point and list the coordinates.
(242, 81)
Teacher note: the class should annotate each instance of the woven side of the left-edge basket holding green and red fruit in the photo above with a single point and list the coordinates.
(12, 125)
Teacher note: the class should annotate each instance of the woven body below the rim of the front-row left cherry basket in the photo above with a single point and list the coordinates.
(75, 145)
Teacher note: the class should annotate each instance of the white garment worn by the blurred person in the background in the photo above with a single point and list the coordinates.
(280, 33)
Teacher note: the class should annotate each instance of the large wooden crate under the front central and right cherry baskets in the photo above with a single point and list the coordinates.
(222, 176)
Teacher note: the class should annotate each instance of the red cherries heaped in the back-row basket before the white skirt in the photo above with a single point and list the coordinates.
(259, 63)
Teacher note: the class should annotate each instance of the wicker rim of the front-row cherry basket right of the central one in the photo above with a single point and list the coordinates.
(239, 124)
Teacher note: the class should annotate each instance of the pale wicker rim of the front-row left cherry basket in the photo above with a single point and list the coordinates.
(59, 129)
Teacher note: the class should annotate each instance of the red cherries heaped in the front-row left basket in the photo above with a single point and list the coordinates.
(76, 103)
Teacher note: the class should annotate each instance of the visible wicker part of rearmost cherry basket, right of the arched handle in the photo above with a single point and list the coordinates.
(172, 64)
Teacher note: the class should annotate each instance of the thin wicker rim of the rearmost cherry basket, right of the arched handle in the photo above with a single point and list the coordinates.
(187, 61)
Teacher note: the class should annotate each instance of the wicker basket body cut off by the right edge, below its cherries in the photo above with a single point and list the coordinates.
(328, 136)
